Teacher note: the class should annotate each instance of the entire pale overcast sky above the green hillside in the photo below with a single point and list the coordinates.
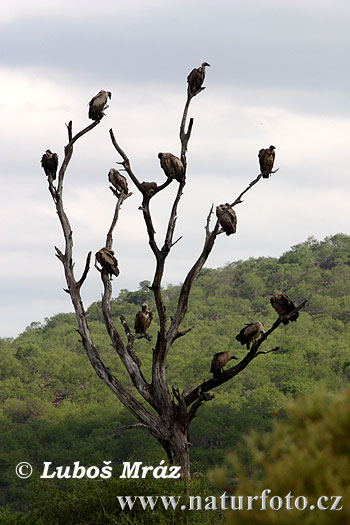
(279, 75)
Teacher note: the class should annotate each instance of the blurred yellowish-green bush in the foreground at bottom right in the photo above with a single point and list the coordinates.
(306, 455)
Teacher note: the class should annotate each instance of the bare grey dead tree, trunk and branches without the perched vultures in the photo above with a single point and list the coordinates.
(172, 411)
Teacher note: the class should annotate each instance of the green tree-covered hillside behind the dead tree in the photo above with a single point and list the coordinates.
(54, 407)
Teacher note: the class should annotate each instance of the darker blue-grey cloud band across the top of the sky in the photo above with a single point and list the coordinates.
(274, 46)
